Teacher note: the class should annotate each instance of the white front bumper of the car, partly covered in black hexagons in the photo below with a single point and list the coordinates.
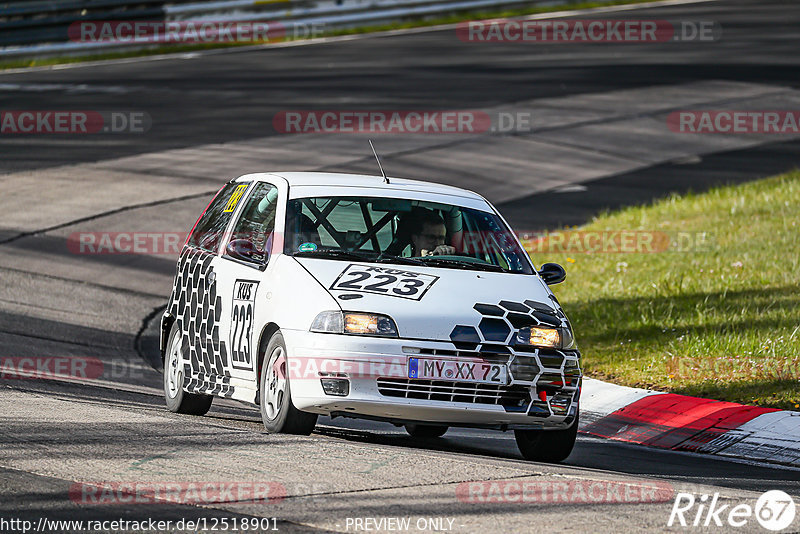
(543, 388)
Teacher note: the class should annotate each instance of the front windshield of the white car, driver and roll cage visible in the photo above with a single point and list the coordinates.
(405, 231)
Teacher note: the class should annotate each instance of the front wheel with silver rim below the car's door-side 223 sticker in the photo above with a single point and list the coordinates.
(275, 394)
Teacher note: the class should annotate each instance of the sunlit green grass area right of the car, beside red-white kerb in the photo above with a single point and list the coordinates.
(721, 322)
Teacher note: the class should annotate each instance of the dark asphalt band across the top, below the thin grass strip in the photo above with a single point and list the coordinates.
(233, 95)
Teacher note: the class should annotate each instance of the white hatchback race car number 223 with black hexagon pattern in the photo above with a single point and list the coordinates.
(389, 299)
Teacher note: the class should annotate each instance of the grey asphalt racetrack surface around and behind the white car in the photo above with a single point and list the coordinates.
(54, 303)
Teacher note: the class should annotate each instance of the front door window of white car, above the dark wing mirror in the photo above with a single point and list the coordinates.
(257, 220)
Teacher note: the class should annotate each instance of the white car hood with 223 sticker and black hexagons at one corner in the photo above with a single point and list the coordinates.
(450, 304)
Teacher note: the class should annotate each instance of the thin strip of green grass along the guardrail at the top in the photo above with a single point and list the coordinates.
(428, 21)
